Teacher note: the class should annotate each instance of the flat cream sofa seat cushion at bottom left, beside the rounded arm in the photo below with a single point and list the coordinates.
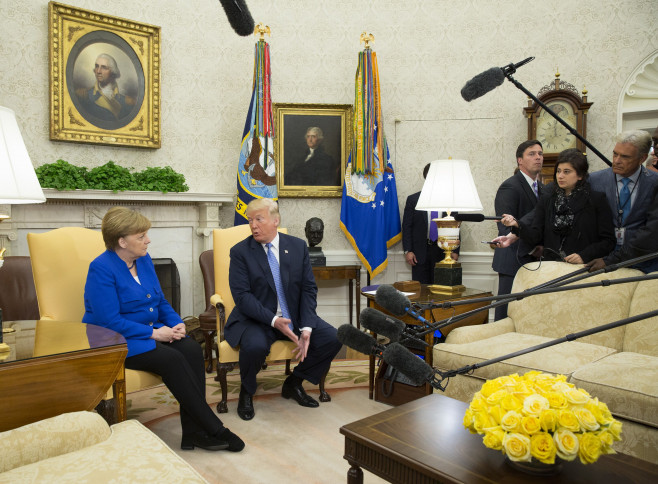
(131, 454)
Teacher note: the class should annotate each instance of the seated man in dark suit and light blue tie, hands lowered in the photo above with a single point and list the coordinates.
(274, 290)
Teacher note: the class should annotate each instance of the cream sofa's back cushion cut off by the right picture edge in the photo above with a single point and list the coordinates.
(641, 336)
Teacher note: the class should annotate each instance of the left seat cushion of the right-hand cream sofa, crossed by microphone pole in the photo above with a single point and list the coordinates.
(563, 358)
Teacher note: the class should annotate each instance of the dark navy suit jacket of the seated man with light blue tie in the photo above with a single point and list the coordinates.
(253, 290)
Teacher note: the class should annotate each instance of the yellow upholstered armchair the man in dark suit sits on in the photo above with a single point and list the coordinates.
(228, 357)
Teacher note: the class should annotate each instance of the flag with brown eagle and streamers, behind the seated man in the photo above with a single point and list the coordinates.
(256, 176)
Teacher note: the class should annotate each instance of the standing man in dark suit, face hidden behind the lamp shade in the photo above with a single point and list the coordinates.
(420, 251)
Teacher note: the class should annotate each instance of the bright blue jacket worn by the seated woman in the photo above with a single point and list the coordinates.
(114, 299)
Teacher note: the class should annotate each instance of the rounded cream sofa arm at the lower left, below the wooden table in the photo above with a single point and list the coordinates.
(51, 437)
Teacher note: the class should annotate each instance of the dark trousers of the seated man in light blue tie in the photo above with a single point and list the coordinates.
(255, 346)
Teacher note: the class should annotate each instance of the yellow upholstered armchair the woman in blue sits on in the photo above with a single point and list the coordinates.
(60, 262)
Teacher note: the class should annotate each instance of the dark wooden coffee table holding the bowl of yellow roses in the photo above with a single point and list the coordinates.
(424, 441)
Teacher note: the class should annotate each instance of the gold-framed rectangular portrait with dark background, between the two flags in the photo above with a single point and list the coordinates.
(311, 148)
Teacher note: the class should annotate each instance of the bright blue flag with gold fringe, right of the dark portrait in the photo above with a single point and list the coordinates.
(369, 213)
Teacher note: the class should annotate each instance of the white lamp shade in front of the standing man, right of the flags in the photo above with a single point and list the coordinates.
(449, 186)
